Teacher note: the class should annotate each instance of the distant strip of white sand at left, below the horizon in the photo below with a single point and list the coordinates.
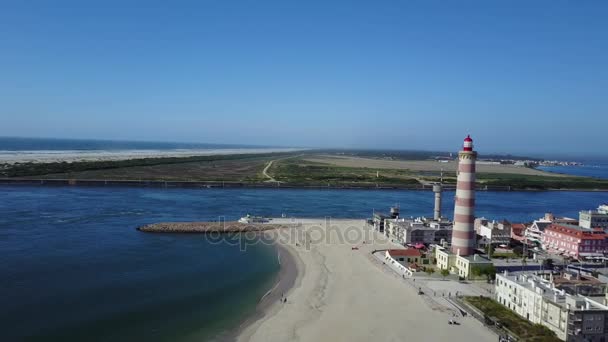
(11, 157)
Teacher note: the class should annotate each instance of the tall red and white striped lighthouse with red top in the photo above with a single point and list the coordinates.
(463, 233)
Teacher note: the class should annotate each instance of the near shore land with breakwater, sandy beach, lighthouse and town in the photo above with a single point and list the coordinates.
(489, 278)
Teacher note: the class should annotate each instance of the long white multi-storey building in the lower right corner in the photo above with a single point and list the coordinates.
(571, 317)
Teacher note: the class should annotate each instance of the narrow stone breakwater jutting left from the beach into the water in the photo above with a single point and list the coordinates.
(209, 227)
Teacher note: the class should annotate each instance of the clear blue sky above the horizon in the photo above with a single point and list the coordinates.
(519, 76)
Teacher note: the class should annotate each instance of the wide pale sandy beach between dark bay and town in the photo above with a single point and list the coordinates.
(347, 295)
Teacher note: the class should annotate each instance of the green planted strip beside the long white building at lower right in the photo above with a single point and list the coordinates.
(524, 329)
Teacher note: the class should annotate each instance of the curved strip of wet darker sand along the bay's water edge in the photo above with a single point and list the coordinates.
(289, 276)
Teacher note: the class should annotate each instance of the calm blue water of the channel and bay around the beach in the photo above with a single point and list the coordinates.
(74, 268)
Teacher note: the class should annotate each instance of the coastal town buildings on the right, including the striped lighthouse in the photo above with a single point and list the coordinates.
(549, 272)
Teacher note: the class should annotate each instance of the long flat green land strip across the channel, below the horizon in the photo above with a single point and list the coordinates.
(290, 170)
